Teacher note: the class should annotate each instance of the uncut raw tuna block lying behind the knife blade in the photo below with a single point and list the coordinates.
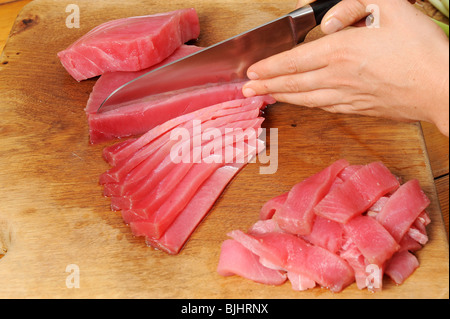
(129, 44)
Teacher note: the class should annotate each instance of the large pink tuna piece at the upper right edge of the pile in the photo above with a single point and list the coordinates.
(403, 208)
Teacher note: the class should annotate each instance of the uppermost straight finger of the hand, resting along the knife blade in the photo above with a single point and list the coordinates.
(303, 58)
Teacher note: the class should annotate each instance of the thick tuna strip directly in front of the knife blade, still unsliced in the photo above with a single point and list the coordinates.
(141, 116)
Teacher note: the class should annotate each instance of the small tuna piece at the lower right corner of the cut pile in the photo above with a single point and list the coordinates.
(401, 266)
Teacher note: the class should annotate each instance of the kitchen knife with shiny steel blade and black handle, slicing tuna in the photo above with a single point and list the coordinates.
(225, 61)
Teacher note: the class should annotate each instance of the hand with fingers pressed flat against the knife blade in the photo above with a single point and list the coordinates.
(398, 70)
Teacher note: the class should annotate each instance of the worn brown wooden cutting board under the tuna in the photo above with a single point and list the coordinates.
(56, 225)
